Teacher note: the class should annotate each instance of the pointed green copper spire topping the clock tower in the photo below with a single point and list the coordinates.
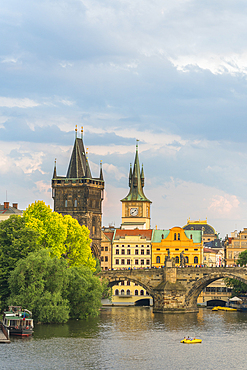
(136, 181)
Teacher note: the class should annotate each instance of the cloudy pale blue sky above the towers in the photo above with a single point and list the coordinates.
(172, 74)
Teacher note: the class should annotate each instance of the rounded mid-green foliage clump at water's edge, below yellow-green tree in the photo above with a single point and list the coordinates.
(52, 291)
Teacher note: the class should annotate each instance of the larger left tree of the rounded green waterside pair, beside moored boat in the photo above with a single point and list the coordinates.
(37, 283)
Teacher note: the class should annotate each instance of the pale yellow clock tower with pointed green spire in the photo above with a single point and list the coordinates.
(135, 206)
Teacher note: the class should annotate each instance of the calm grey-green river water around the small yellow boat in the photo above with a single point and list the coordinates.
(134, 338)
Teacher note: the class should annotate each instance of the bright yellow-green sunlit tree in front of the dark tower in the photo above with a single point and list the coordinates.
(62, 235)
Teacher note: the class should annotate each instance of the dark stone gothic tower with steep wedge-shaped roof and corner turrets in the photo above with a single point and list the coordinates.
(79, 194)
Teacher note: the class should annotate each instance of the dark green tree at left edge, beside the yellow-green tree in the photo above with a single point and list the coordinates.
(16, 242)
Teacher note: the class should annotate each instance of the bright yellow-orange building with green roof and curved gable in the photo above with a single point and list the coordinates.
(175, 241)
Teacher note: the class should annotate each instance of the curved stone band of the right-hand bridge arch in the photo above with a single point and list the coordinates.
(195, 290)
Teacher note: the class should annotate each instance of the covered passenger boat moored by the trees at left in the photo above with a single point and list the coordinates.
(18, 322)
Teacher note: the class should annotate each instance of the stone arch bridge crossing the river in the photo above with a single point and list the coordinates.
(175, 289)
